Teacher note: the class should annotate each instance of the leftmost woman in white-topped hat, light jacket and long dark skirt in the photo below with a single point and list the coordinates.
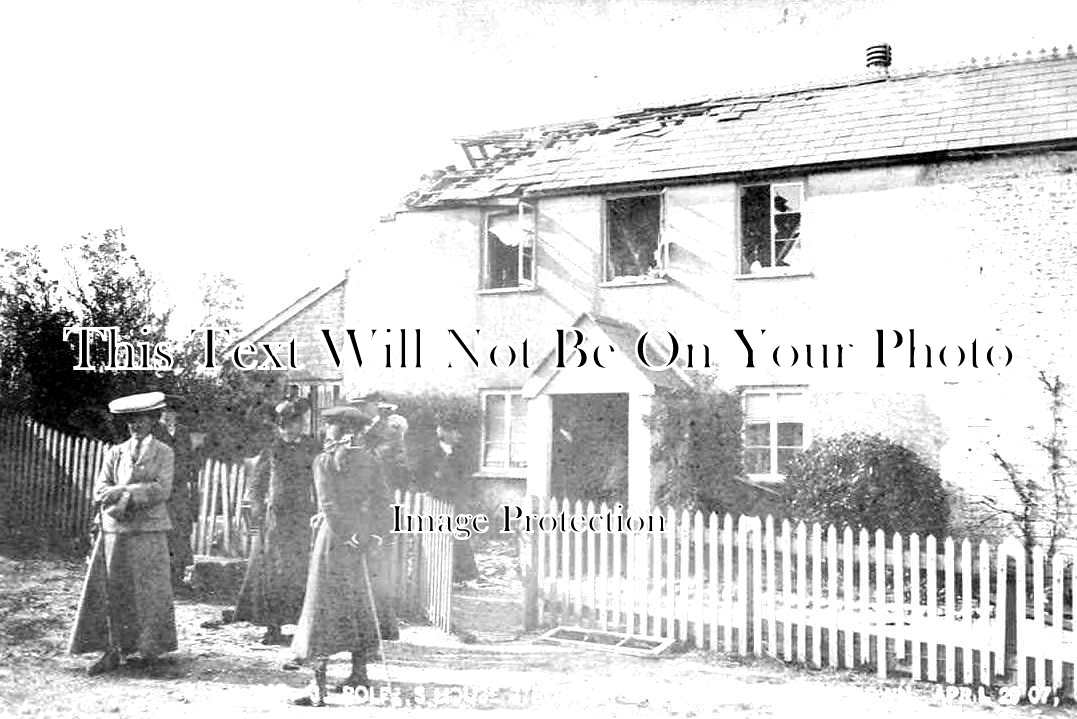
(127, 603)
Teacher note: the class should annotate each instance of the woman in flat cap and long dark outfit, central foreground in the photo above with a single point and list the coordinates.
(339, 611)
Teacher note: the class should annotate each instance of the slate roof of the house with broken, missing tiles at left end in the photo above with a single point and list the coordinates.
(871, 118)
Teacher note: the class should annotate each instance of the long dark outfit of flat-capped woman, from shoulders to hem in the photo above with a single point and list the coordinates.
(338, 611)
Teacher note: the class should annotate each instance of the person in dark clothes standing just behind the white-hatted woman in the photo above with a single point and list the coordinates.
(183, 504)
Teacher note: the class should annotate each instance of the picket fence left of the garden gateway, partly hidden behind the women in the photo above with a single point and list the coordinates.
(49, 481)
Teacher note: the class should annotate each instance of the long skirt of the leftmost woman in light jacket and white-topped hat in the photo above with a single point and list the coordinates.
(130, 575)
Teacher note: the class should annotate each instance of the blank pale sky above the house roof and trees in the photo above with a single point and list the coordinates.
(263, 139)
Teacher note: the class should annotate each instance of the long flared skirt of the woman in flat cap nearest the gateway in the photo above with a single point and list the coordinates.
(337, 615)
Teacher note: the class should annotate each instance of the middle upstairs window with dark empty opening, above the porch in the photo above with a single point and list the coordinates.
(634, 237)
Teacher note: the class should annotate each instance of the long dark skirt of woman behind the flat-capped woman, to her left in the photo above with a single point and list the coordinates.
(276, 580)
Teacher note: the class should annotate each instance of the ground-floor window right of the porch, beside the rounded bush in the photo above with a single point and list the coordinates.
(774, 430)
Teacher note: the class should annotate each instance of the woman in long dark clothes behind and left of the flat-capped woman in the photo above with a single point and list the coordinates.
(278, 507)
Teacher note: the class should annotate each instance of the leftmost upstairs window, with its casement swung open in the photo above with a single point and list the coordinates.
(509, 248)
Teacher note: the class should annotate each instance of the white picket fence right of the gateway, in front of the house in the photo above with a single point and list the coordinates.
(938, 611)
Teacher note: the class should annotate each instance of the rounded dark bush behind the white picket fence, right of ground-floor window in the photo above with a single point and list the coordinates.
(866, 481)
